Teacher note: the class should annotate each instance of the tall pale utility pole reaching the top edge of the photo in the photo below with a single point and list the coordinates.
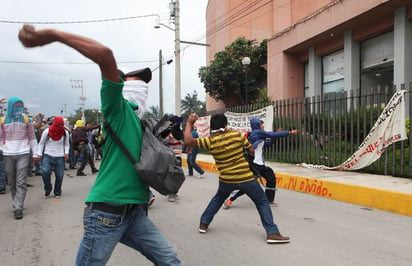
(174, 13)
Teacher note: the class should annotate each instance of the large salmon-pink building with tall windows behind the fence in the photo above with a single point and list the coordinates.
(317, 47)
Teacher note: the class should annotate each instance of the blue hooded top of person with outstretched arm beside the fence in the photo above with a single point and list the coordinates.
(257, 135)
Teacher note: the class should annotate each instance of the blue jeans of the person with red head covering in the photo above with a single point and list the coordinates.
(46, 166)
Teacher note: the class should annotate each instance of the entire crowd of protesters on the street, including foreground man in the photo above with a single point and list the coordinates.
(42, 145)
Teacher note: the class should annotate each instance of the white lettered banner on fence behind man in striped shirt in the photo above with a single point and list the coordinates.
(238, 121)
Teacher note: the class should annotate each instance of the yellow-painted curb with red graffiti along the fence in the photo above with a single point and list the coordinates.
(396, 202)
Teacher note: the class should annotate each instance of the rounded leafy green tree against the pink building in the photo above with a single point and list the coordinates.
(224, 79)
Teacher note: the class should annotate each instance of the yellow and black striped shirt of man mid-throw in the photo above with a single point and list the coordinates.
(227, 150)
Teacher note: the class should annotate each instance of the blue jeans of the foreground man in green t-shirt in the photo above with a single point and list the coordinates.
(103, 230)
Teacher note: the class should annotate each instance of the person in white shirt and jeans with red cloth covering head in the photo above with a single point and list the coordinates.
(54, 150)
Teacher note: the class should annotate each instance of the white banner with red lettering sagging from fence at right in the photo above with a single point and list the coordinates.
(388, 129)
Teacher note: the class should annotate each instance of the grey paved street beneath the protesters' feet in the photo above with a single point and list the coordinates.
(322, 231)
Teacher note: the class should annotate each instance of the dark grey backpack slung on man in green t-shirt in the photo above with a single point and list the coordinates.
(158, 166)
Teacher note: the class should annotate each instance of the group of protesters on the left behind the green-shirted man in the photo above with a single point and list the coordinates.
(39, 145)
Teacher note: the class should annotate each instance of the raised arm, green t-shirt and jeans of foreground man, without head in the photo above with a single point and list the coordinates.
(116, 203)
